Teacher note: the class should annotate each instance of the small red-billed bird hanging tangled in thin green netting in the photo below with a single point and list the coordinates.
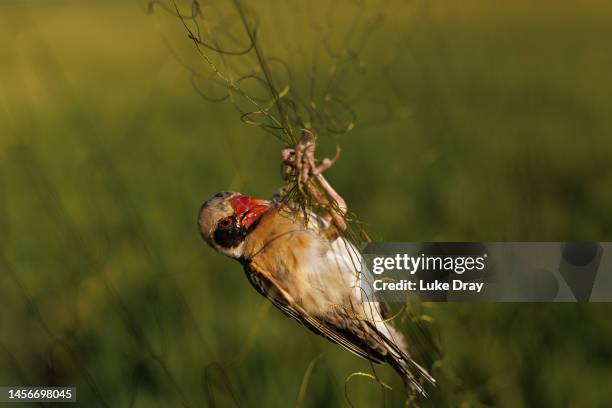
(300, 262)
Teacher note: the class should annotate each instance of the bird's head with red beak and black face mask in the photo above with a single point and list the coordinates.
(226, 220)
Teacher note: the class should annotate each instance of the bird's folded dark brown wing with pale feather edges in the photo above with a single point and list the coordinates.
(335, 326)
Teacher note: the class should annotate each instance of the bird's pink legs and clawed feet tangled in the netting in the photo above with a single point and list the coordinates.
(302, 158)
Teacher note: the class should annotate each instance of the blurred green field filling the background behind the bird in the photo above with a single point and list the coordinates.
(106, 153)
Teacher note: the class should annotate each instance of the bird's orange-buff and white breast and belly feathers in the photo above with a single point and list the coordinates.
(314, 272)
